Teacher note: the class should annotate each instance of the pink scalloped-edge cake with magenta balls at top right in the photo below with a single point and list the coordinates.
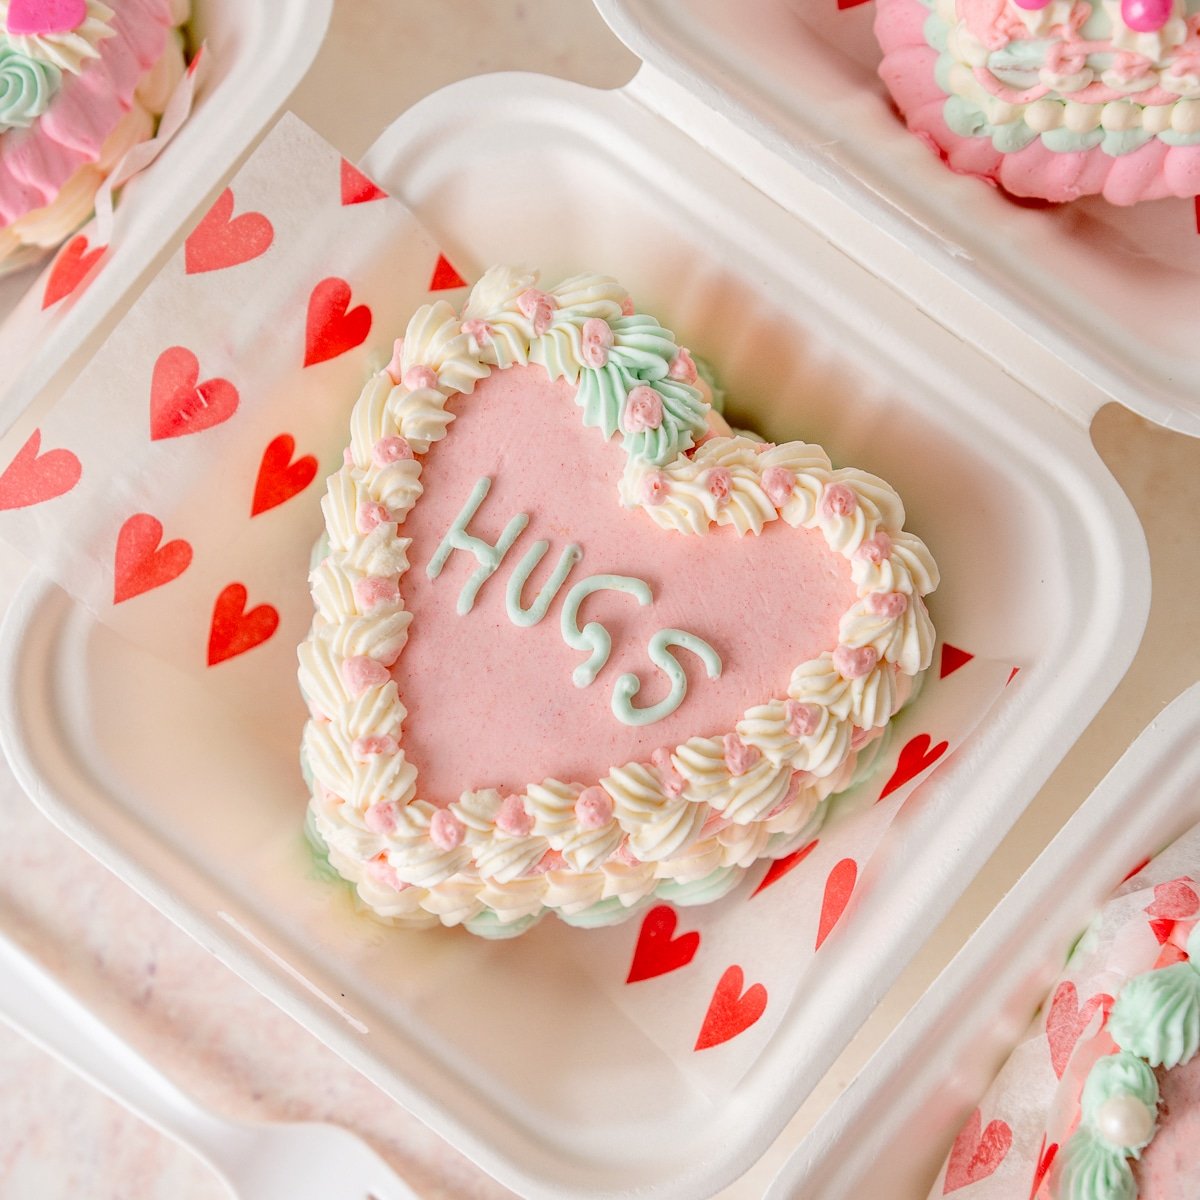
(1053, 99)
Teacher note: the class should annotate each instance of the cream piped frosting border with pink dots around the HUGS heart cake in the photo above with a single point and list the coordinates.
(687, 824)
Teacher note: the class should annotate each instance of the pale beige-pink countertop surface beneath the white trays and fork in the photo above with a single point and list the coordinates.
(232, 1048)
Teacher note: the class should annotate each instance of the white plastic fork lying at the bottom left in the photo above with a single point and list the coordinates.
(257, 1162)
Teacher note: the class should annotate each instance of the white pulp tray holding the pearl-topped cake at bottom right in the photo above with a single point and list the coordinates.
(892, 1129)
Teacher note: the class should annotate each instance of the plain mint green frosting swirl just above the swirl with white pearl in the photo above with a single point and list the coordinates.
(1157, 1016)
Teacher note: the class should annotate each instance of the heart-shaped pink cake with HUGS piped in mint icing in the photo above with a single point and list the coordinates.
(577, 643)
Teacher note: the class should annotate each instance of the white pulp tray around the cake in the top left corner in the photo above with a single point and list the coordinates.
(256, 56)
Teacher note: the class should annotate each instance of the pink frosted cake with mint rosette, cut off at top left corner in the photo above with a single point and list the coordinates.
(81, 83)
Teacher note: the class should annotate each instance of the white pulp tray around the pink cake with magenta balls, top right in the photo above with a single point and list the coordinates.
(1106, 291)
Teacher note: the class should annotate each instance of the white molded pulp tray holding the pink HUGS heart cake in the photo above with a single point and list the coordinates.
(500, 1046)
